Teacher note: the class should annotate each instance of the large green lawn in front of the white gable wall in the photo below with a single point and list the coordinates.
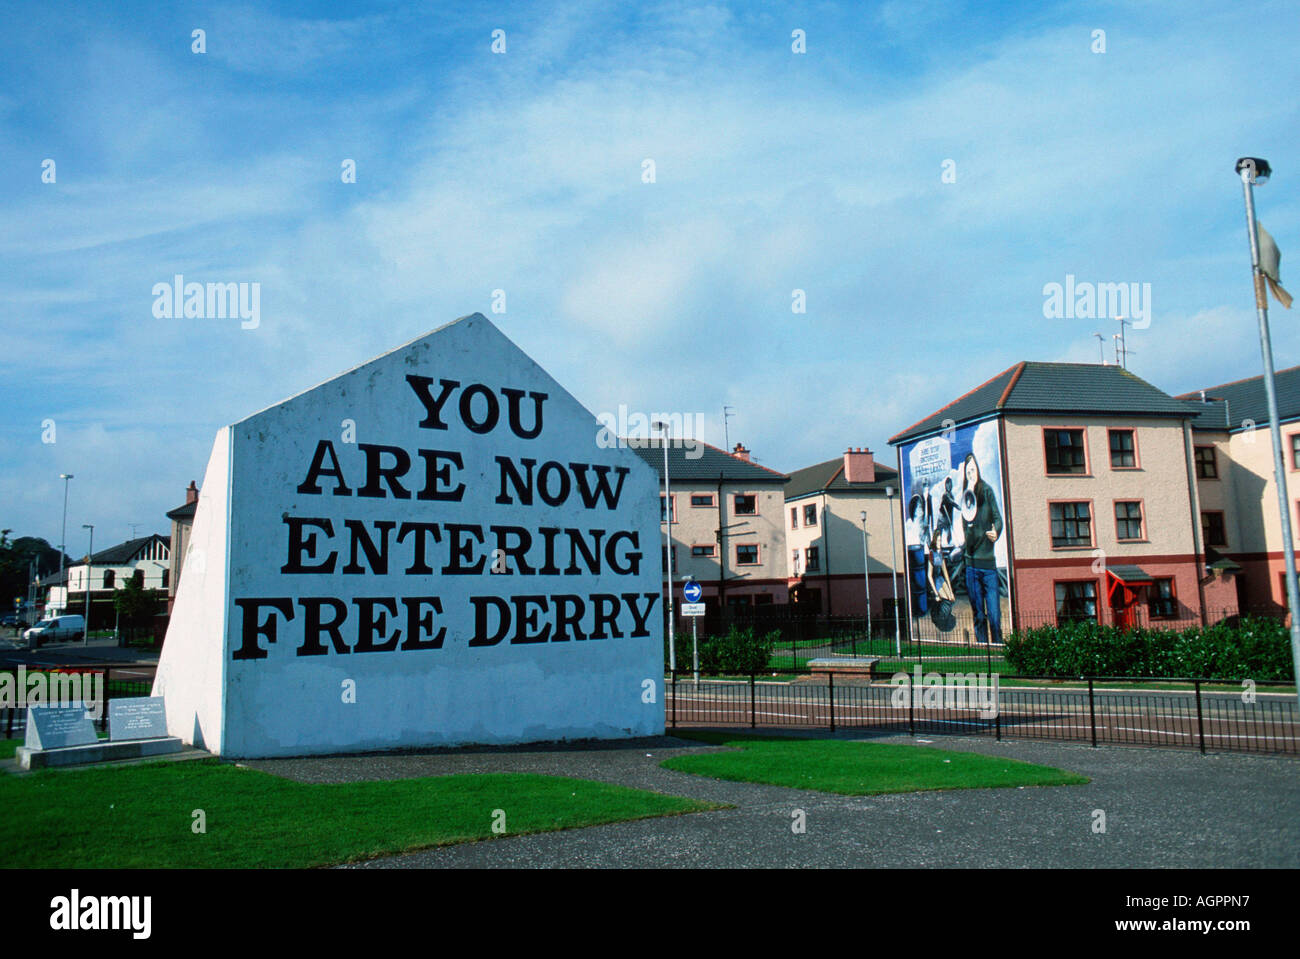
(141, 817)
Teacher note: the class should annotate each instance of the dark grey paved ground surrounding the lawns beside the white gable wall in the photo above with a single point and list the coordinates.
(1163, 808)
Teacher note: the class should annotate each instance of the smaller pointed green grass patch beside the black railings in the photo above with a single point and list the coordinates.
(859, 769)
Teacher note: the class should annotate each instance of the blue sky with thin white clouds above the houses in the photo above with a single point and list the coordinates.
(523, 172)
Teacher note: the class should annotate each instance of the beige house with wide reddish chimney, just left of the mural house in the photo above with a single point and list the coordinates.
(830, 545)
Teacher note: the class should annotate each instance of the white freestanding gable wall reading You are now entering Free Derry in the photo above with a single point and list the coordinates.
(430, 549)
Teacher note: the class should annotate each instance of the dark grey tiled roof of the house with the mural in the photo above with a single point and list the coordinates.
(1055, 388)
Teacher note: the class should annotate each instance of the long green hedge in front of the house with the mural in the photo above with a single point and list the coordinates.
(1246, 649)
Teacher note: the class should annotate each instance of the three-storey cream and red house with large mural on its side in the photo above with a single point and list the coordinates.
(1099, 504)
